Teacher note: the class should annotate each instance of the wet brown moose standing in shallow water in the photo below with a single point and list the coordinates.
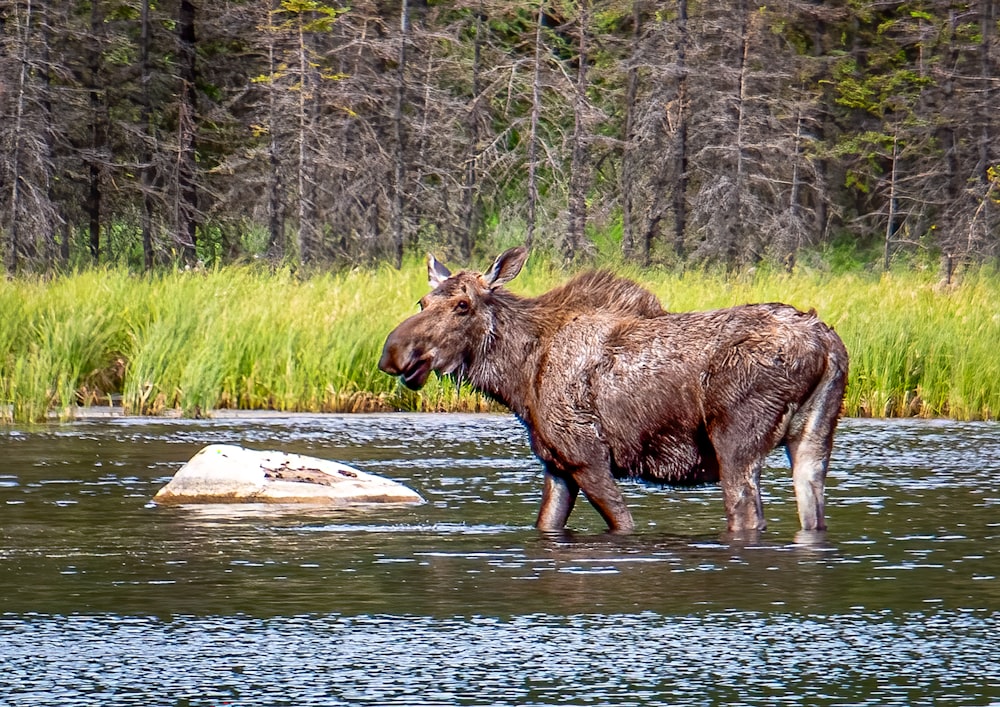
(611, 386)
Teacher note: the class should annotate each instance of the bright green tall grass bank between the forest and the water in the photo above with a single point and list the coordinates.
(252, 339)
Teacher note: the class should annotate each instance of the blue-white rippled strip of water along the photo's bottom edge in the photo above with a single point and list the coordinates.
(882, 658)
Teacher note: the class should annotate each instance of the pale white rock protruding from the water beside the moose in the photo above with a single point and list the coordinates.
(225, 473)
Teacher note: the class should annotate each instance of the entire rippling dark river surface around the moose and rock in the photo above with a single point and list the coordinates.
(107, 599)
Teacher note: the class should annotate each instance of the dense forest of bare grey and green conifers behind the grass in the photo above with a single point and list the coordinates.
(153, 133)
